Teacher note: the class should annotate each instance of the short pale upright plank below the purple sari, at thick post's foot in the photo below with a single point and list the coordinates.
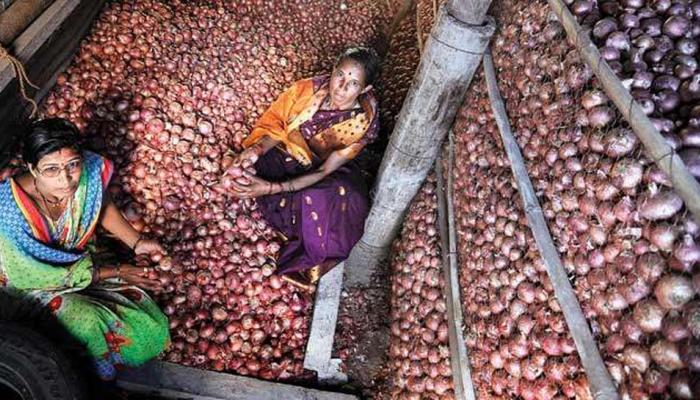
(320, 343)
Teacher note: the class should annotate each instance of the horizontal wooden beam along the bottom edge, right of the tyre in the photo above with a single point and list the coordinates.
(177, 381)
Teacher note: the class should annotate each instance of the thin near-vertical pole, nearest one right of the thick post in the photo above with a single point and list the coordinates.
(459, 359)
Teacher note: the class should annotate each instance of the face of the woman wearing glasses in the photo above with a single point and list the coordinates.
(58, 173)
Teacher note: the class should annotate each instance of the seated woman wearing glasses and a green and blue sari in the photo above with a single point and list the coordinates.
(49, 216)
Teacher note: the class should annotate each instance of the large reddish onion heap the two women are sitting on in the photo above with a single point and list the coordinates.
(164, 89)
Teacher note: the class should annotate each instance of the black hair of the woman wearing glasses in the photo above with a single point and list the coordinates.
(47, 136)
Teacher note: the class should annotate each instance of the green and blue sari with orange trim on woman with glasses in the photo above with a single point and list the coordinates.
(49, 261)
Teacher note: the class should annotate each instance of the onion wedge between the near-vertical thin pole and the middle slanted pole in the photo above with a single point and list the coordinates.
(518, 341)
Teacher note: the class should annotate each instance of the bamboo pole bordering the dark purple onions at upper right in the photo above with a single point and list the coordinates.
(665, 157)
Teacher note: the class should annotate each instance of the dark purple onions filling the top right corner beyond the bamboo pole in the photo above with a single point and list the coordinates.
(653, 48)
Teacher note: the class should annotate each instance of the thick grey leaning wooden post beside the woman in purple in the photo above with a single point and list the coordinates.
(450, 57)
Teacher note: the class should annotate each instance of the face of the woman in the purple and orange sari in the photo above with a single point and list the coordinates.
(347, 82)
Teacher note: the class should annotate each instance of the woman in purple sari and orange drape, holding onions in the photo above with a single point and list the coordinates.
(302, 148)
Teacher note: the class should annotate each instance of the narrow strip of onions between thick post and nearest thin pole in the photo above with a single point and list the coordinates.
(419, 352)
